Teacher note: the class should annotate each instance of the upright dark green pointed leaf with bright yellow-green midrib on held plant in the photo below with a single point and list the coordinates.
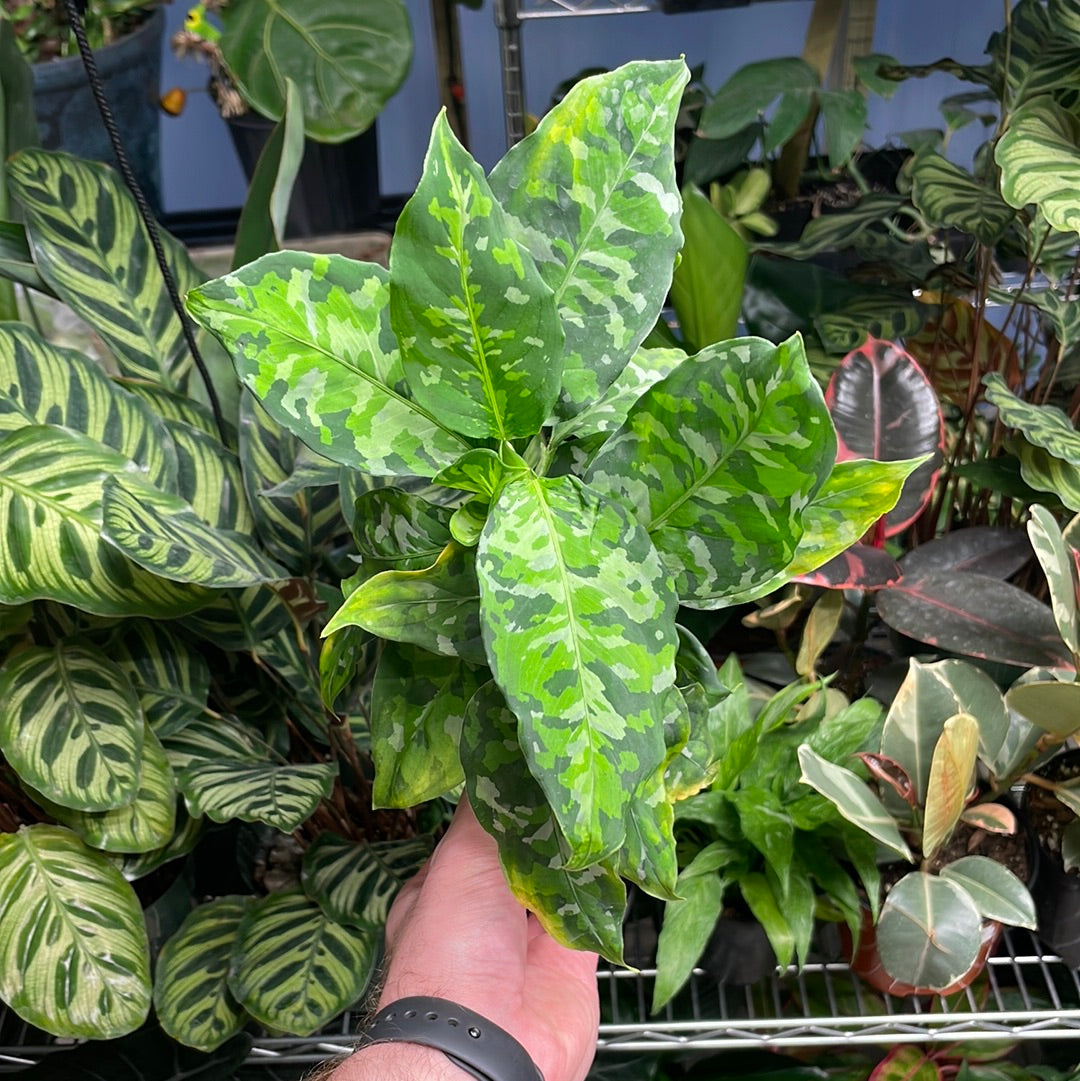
(482, 338)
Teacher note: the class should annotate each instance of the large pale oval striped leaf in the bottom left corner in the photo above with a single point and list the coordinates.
(74, 956)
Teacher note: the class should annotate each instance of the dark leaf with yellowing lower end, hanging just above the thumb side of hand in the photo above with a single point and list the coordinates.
(418, 704)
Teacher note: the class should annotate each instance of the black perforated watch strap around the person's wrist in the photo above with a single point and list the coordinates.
(468, 1039)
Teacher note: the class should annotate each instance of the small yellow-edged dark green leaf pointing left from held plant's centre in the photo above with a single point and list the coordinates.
(437, 609)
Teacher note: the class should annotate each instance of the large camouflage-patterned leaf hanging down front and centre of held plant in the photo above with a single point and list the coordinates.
(579, 622)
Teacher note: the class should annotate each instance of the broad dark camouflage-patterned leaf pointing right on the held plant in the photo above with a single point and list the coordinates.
(741, 425)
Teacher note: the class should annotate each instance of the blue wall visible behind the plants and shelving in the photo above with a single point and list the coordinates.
(202, 171)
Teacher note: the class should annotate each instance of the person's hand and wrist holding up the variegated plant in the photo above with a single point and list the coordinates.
(458, 932)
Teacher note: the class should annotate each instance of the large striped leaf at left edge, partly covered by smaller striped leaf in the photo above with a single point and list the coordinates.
(51, 491)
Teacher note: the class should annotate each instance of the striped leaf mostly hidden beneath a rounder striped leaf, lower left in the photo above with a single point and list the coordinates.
(145, 824)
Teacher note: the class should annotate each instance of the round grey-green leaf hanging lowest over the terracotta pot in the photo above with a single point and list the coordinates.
(929, 931)
